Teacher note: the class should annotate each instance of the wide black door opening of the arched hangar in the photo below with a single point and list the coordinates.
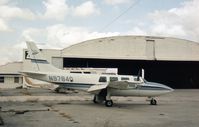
(176, 74)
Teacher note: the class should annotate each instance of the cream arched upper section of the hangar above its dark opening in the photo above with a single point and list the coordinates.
(135, 48)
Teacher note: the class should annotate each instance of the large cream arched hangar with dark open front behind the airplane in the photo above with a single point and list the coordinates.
(171, 61)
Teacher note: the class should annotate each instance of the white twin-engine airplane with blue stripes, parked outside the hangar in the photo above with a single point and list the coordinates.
(101, 85)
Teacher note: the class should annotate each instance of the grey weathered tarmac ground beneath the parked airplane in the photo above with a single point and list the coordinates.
(44, 108)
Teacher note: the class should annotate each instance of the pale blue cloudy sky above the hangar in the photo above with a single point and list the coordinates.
(61, 23)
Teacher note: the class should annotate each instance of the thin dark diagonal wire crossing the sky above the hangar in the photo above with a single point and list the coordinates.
(116, 18)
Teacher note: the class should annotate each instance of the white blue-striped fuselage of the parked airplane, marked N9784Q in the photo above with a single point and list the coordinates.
(85, 81)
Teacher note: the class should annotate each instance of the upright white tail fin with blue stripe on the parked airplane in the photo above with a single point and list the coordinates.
(38, 61)
